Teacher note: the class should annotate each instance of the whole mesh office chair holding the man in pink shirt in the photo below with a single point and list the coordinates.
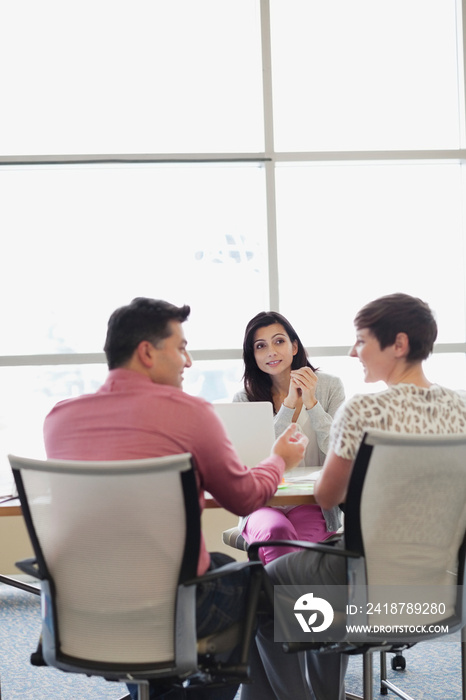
(116, 549)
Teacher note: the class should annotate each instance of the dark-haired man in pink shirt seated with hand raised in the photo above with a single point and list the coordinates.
(141, 411)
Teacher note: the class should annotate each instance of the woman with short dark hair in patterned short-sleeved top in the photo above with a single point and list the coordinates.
(394, 334)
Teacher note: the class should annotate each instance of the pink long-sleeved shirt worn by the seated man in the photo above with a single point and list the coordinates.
(130, 417)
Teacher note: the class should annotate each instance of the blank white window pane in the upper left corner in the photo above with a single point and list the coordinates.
(148, 76)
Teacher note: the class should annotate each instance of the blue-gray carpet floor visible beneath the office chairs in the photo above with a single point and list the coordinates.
(433, 669)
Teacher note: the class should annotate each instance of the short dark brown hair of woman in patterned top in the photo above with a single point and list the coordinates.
(400, 313)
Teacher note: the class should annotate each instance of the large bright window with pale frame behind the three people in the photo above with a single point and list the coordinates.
(235, 155)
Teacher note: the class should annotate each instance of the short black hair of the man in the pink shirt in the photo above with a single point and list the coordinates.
(143, 319)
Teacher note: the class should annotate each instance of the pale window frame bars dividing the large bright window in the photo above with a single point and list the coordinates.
(268, 158)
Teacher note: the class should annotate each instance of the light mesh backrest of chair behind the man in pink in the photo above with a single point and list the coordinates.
(114, 539)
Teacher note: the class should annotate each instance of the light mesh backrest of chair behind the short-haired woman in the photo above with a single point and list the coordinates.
(406, 508)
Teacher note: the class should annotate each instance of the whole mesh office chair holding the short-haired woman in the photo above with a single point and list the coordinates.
(405, 525)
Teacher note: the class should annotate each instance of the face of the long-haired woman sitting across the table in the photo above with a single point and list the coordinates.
(273, 349)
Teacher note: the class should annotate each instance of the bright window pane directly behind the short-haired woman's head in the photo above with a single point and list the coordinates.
(348, 234)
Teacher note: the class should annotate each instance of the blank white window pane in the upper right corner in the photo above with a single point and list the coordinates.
(364, 75)
